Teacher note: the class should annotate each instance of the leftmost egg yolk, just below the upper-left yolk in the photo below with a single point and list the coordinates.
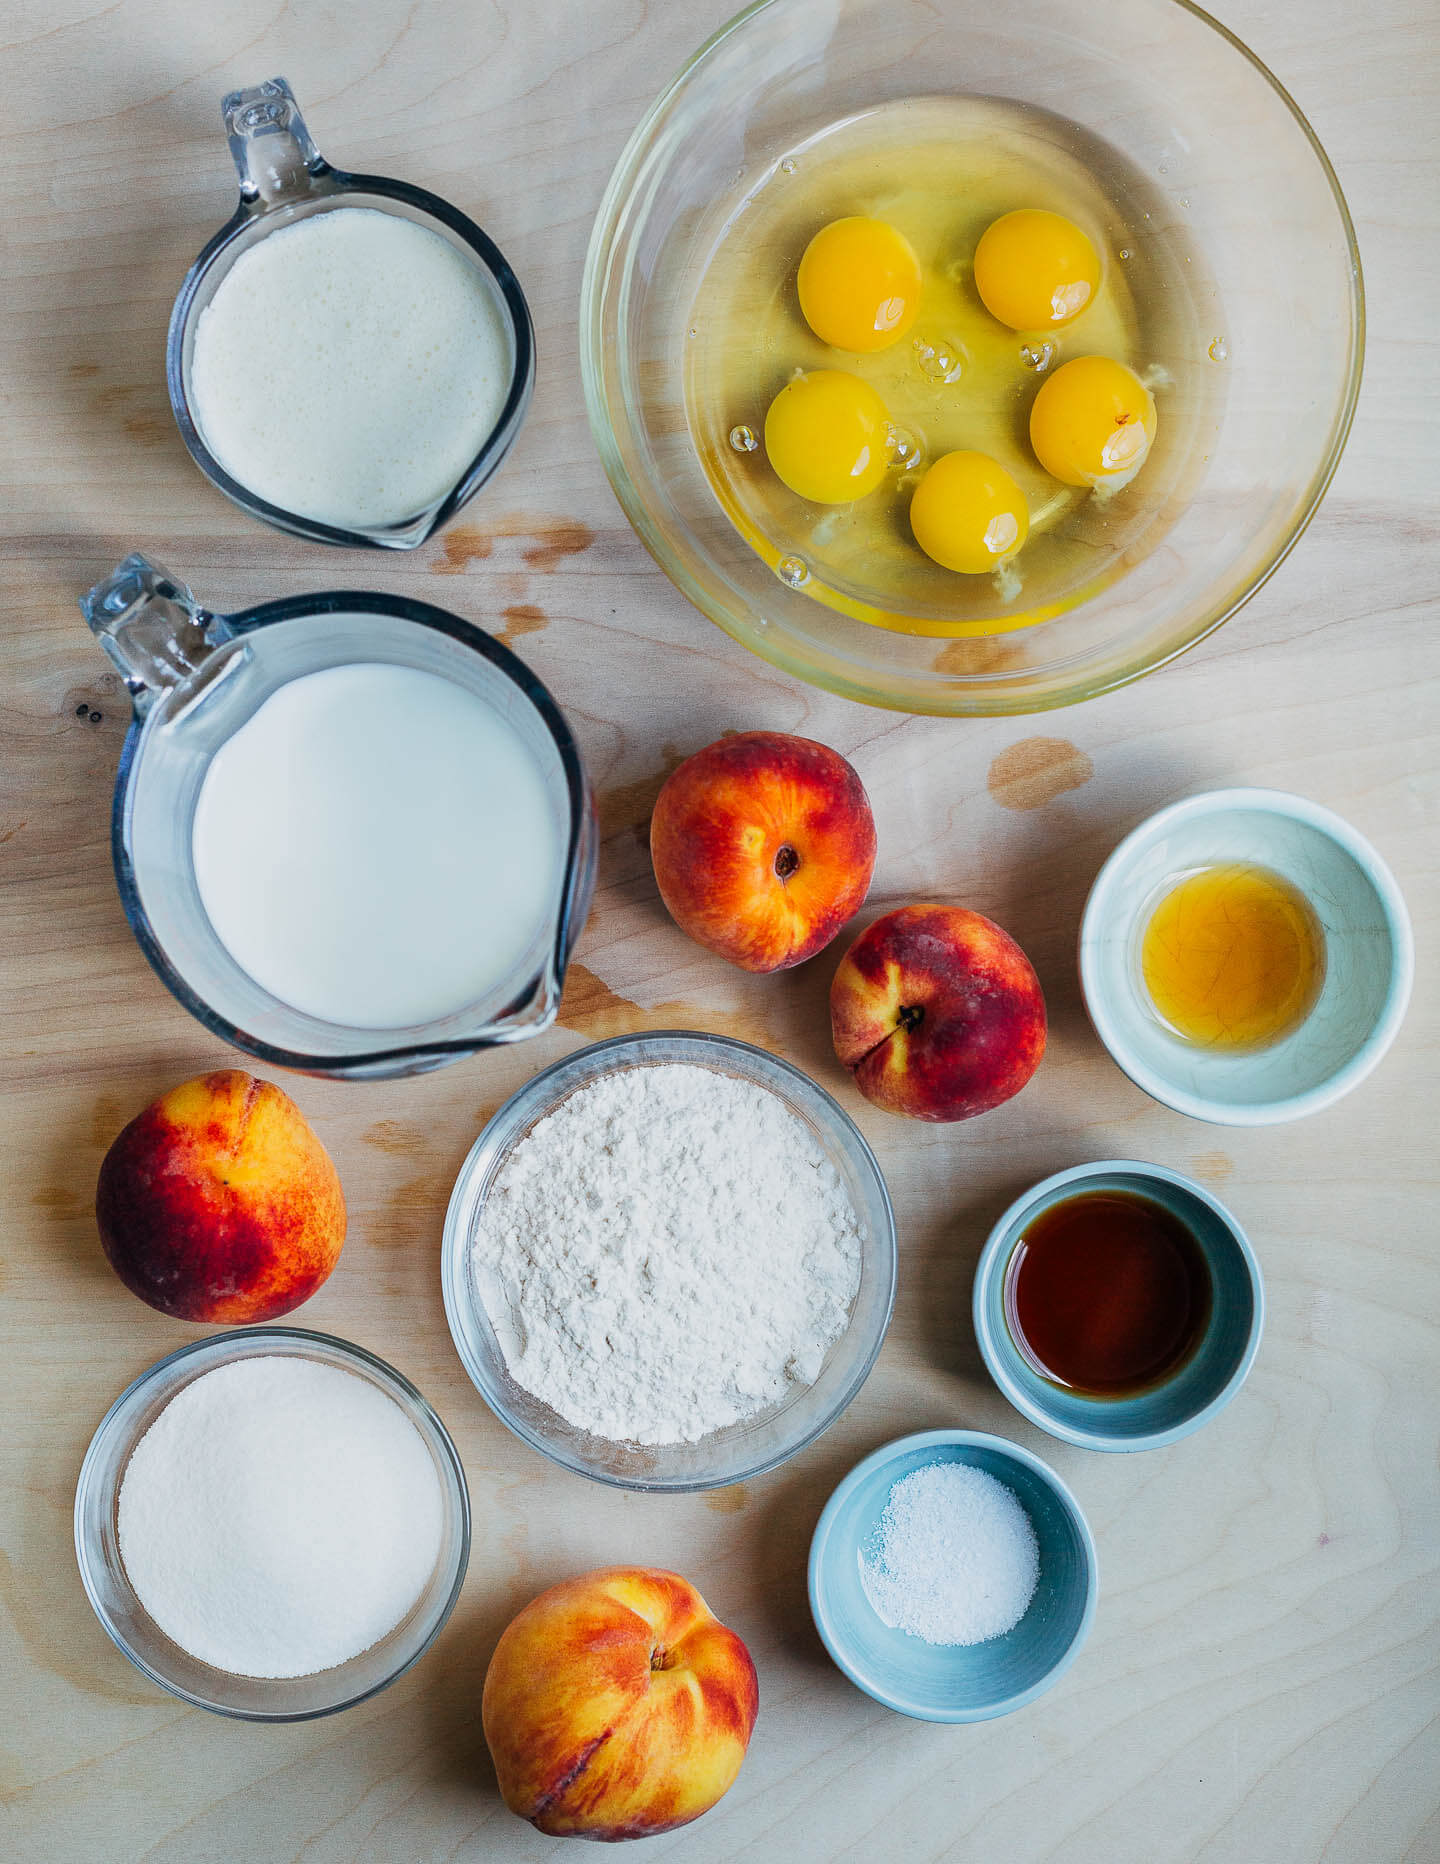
(828, 437)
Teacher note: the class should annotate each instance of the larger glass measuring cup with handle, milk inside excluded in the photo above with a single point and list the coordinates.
(195, 681)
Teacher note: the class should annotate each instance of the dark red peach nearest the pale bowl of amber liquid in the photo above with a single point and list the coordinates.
(938, 1013)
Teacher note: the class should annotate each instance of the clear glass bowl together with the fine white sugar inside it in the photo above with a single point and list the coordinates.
(273, 1524)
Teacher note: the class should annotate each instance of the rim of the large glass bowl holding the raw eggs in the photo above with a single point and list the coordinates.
(761, 642)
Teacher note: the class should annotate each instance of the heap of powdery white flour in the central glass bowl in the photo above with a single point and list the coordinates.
(666, 1254)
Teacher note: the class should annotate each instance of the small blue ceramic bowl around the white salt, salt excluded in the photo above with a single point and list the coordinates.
(955, 1682)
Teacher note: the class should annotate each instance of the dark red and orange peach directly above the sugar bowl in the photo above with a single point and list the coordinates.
(219, 1203)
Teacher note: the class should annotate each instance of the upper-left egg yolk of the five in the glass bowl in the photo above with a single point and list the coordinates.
(860, 284)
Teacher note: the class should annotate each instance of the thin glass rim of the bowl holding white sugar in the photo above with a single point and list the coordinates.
(217, 1343)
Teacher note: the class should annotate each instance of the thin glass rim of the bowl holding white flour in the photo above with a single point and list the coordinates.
(461, 1209)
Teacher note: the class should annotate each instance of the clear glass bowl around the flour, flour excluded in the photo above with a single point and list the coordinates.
(737, 1451)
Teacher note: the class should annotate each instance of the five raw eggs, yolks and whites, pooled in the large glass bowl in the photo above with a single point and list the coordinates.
(1027, 314)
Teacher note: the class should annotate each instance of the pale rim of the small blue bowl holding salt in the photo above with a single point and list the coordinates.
(837, 1503)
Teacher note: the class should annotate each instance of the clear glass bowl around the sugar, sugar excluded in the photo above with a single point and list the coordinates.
(135, 1632)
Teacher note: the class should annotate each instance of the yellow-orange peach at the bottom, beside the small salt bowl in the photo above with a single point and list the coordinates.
(618, 1706)
